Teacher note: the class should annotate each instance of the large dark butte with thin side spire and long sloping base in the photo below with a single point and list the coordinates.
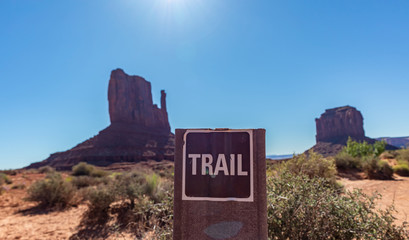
(139, 130)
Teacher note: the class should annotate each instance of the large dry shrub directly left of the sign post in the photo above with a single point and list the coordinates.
(145, 203)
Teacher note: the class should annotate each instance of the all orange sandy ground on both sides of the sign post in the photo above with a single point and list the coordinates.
(22, 220)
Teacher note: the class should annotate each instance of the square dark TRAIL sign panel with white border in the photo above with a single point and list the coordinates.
(217, 165)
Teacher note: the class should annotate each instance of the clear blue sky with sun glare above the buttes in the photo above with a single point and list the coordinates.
(223, 63)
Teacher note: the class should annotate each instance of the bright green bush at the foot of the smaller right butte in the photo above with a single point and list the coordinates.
(362, 149)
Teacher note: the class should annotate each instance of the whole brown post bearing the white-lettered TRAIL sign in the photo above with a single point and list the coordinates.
(220, 184)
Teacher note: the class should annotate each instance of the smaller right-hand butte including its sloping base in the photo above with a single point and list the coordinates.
(335, 126)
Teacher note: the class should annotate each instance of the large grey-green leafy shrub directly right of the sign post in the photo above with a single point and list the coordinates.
(300, 207)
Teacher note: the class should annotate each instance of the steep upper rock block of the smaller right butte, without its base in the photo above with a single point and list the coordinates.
(337, 124)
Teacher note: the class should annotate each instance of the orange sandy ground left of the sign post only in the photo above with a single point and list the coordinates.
(22, 220)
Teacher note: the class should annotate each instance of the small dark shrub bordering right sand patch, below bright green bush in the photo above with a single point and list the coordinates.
(377, 169)
